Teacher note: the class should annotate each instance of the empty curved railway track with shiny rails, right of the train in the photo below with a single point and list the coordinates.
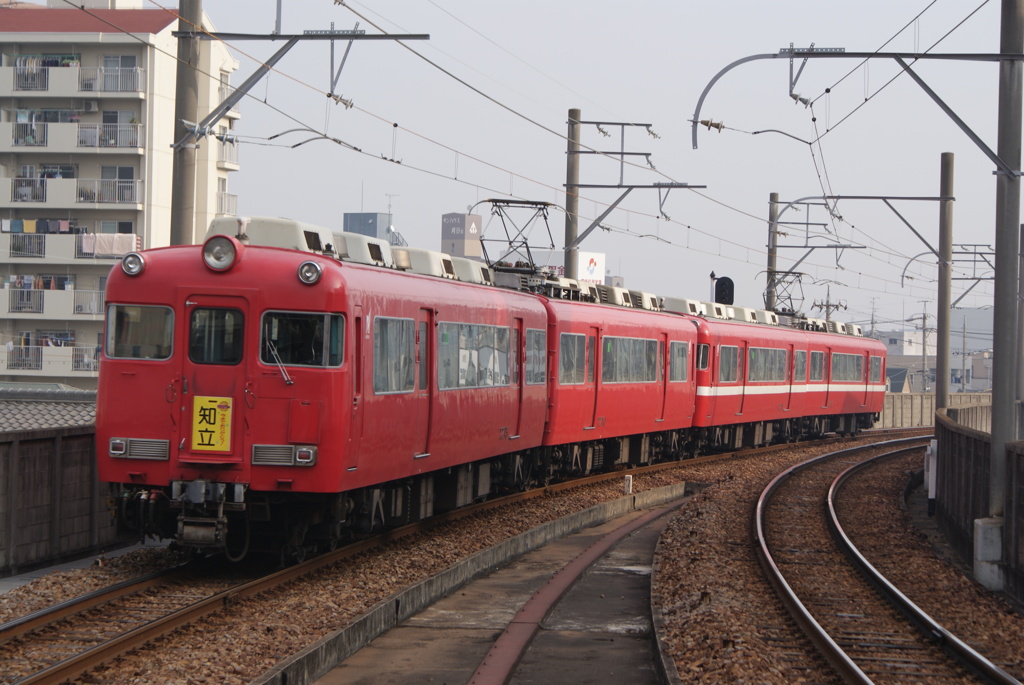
(821, 578)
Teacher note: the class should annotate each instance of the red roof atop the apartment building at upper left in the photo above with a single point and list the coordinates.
(20, 20)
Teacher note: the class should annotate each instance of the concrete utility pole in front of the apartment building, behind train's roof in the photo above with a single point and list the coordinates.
(186, 109)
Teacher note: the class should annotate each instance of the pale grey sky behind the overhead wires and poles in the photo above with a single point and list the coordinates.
(643, 62)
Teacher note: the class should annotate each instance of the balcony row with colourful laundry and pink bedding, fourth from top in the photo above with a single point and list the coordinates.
(66, 248)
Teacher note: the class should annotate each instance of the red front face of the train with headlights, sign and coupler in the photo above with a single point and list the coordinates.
(217, 368)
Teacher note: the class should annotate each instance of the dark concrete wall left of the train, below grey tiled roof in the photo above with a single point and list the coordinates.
(52, 505)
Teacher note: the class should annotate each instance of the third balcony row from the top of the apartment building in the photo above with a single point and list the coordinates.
(50, 194)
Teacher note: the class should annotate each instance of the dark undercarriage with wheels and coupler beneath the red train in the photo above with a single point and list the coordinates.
(211, 518)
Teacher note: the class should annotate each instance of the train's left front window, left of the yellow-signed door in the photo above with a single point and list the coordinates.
(140, 333)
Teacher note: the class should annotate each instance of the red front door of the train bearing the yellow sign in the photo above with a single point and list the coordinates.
(215, 377)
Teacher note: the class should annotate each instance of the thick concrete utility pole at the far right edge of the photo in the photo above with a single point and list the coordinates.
(1008, 202)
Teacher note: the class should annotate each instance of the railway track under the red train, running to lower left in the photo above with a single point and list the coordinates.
(76, 637)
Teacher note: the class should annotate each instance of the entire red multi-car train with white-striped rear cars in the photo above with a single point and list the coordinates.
(281, 388)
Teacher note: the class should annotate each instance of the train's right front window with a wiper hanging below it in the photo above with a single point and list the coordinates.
(303, 339)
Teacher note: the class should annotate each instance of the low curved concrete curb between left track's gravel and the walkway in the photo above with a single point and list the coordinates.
(309, 665)
